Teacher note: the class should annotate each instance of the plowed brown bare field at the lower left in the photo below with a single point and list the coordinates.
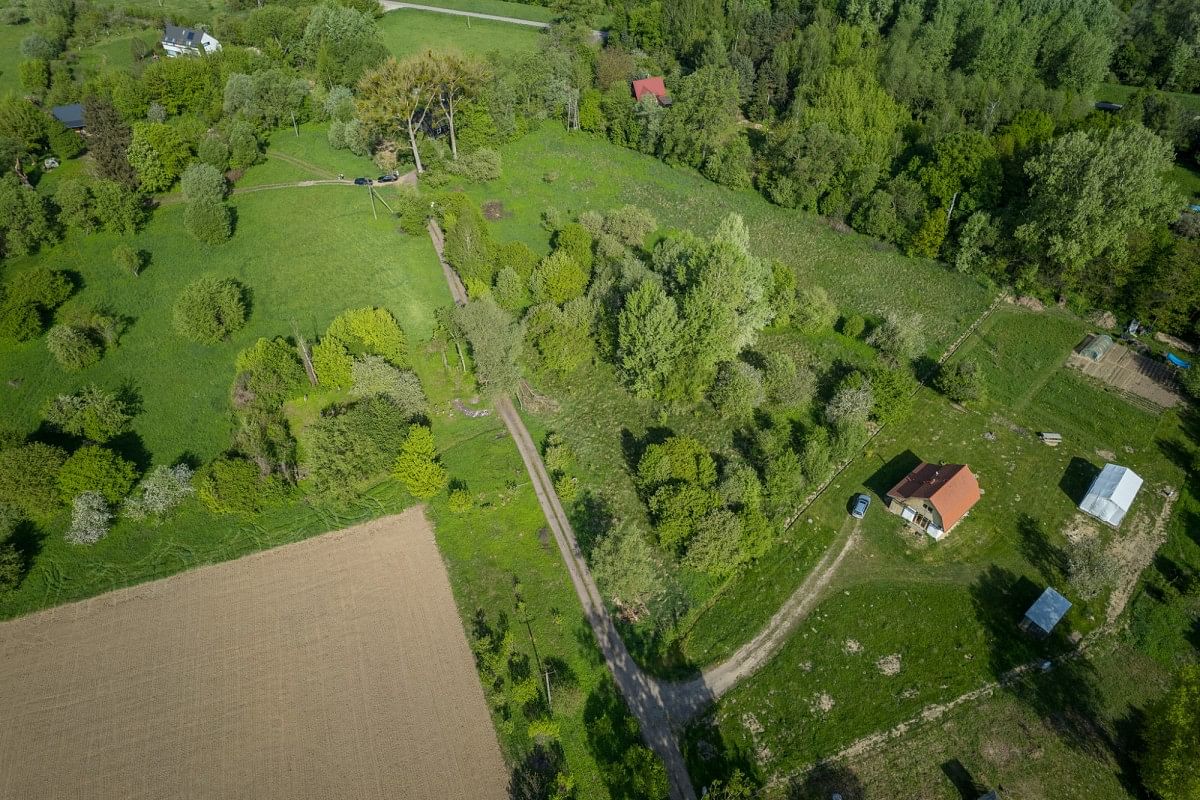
(332, 669)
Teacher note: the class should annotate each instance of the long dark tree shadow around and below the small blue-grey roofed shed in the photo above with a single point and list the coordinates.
(1066, 696)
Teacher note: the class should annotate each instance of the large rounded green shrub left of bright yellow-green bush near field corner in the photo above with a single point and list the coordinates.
(351, 444)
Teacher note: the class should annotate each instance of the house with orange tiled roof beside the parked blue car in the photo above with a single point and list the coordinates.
(934, 498)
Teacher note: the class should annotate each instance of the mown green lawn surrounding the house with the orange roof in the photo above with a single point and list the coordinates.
(947, 610)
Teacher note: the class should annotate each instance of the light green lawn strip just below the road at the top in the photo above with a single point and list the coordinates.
(407, 32)
